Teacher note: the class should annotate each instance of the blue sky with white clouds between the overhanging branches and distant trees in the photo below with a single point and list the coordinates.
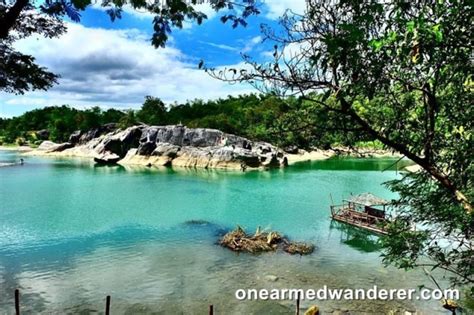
(114, 65)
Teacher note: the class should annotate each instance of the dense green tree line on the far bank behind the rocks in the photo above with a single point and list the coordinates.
(285, 122)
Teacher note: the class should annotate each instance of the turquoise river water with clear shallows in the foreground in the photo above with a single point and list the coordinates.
(72, 233)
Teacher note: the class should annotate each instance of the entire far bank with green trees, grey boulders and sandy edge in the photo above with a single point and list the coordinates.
(262, 120)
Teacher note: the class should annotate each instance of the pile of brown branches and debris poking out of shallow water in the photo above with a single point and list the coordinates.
(238, 240)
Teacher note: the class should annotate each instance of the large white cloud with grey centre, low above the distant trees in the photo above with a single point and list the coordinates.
(115, 68)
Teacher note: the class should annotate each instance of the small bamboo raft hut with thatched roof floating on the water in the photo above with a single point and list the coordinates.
(365, 211)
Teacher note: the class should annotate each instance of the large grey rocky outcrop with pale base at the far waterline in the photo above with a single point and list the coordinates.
(174, 145)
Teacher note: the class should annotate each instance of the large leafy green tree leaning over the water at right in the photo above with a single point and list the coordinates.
(399, 72)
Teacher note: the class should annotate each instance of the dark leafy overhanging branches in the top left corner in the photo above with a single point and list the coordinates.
(22, 18)
